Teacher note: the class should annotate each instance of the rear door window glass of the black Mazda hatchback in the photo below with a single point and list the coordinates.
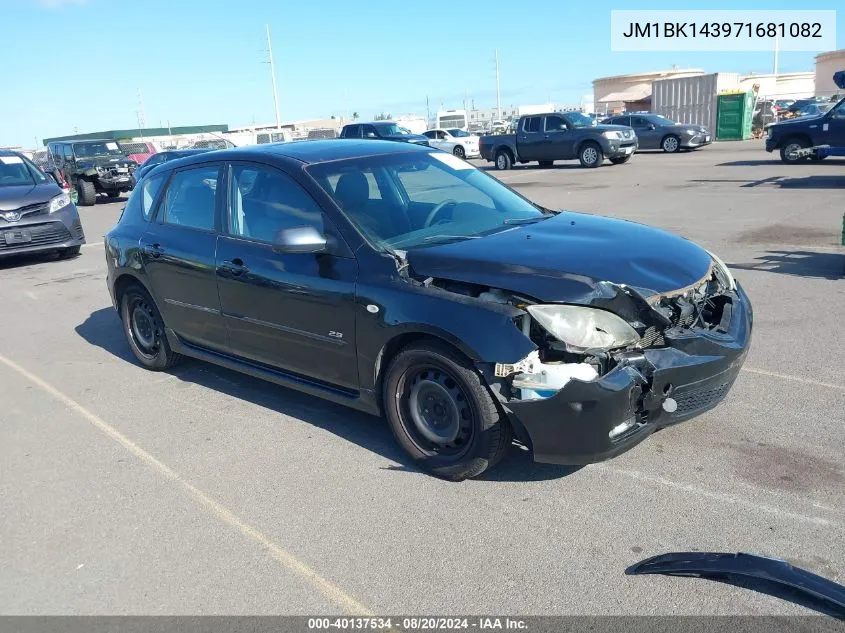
(190, 198)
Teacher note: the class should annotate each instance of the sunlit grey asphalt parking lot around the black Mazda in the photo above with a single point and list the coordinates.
(203, 491)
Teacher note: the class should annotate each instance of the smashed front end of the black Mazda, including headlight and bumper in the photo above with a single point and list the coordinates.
(607, 374)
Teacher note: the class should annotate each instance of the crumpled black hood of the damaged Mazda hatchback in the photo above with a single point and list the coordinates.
(567, 257)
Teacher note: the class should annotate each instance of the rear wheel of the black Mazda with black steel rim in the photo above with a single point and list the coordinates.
(144, 330)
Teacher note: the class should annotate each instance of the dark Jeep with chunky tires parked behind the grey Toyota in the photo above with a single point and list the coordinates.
(95, 166)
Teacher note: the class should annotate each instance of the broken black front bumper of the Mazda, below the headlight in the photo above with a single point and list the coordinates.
(696, 370)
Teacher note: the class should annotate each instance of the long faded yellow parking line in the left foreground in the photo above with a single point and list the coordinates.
(285, 558)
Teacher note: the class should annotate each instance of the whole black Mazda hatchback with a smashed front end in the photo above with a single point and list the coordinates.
(401, 281)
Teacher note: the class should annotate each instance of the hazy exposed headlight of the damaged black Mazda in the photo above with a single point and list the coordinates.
(583, 328)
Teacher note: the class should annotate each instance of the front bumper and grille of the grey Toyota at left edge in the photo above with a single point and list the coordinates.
(43, 232)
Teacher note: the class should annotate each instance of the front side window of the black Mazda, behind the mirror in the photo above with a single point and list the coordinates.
(264, 201)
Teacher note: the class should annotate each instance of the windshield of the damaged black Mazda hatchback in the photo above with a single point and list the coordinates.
(402, 201)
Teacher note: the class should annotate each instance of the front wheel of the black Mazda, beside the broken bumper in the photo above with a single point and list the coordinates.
(476, 434)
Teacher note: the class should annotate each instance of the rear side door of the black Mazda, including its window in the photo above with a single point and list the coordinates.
(177, 254)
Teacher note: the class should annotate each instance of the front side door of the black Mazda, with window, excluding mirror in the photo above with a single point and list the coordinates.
(291, 311)
